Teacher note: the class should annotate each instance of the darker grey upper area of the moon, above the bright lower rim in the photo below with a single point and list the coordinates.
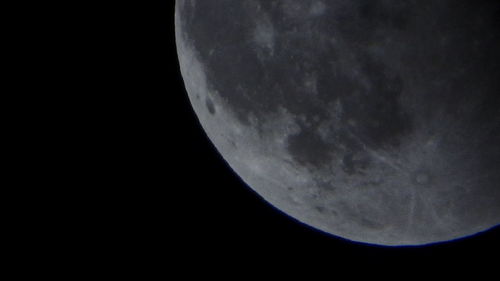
(394, 68)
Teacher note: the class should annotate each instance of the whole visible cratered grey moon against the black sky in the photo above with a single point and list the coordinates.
(376, 121)
